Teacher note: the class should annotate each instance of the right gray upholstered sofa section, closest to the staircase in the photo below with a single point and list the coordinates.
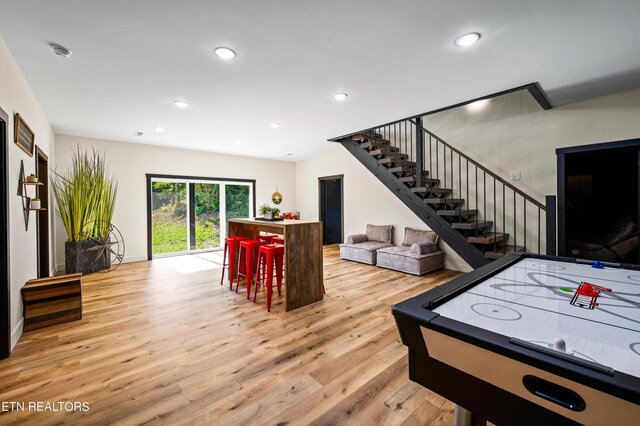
(417, 255)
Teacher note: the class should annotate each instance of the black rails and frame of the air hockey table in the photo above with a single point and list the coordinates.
(485, 400)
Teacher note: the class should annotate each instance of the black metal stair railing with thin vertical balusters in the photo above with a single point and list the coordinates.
(464, 190)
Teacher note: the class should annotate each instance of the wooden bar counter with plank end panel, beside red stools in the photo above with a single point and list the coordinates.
(302, 256)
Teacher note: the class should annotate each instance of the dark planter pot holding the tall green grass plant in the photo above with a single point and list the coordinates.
(85, 257)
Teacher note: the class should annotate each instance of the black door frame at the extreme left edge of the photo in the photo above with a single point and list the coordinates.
(5, 293)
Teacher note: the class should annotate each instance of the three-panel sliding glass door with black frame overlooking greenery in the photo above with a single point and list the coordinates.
(190, 215)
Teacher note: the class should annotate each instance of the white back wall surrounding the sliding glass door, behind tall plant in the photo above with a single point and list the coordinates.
(129, 163)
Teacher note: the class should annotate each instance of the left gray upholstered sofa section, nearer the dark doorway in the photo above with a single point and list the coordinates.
(363, 247)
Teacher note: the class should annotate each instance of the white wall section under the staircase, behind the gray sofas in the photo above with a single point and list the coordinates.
(366, 199)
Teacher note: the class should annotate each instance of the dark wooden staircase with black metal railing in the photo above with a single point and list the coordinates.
(477, 213)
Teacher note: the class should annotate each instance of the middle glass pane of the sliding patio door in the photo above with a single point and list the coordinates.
(207, 215)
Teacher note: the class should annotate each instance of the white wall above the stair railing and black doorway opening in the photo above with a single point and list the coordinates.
(516, 137)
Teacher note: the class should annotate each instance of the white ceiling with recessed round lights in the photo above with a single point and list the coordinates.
(132, 58)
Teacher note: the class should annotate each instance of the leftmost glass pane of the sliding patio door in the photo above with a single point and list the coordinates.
(169, 217)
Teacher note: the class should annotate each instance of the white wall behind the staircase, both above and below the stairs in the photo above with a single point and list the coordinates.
(514, 136)
